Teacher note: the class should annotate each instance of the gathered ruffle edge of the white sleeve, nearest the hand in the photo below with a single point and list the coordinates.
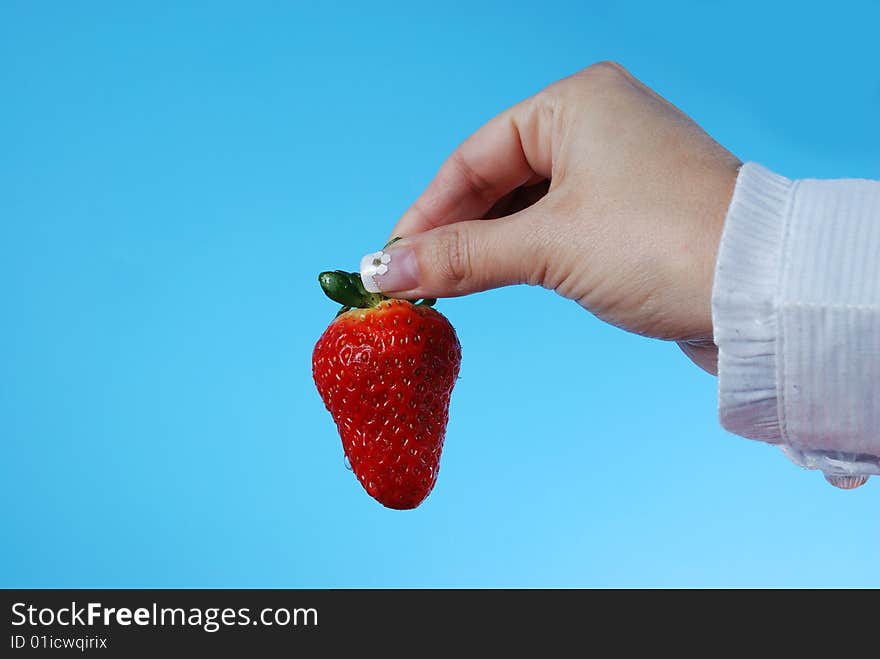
(744, 310)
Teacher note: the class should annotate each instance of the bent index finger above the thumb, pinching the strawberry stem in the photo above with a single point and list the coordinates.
(511, 150)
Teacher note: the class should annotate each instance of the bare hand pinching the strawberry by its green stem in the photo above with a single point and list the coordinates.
(596, 188)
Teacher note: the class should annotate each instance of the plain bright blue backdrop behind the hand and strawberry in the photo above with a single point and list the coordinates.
(174, 175)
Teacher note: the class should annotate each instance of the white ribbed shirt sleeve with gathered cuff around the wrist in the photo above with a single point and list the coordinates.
(796, 315)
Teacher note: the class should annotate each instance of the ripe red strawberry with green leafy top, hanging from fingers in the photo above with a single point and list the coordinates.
(385, 369)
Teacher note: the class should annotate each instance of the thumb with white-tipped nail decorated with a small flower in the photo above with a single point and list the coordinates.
(459, 258)
